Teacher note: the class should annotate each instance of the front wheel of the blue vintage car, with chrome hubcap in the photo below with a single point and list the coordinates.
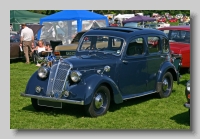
(100, 102)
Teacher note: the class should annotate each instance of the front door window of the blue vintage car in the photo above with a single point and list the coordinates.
(135, 47)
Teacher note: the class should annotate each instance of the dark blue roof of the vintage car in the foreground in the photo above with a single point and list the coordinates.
(123, 32)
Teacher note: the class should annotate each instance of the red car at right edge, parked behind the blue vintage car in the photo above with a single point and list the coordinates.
(179, 37)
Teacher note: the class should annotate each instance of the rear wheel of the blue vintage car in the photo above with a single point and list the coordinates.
(167, 85)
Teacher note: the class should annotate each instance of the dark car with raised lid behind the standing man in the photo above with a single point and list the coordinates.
(15, 51)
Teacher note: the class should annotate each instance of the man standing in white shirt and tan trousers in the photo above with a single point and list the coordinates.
(27, 41)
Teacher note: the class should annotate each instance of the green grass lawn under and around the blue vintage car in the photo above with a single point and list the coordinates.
(148, 112)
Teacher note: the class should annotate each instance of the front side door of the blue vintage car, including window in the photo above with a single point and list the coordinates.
(133, 68)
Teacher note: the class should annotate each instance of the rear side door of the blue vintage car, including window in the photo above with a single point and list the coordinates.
(154, 60)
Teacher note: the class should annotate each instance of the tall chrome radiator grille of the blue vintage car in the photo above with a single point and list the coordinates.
(57, 79)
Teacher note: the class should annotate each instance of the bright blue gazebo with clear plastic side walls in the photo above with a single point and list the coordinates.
(65, 24)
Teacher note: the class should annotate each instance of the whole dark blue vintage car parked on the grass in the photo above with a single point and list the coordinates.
(114, 64)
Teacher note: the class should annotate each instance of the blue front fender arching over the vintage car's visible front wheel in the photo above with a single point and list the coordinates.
(94, 81)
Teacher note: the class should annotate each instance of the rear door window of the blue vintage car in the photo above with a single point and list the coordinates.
(153, 44)
